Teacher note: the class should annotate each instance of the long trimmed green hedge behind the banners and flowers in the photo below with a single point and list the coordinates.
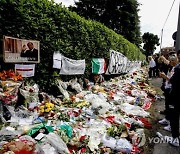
(58, 29)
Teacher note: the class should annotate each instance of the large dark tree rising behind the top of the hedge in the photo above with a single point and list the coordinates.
(119, 15)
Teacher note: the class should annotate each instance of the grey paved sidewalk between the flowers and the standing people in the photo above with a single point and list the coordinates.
(160, 148)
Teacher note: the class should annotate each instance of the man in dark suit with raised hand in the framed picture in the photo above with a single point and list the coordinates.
(31, 53)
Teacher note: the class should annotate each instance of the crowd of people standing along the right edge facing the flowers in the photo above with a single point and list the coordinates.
(167, 67)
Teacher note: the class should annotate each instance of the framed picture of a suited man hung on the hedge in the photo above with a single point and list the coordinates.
(17, 50)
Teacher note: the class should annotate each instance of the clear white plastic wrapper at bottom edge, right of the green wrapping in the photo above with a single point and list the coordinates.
(57, 143)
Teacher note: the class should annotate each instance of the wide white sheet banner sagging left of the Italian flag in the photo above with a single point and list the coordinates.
(70, 66)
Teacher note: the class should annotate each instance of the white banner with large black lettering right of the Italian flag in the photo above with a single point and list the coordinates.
(117, 63)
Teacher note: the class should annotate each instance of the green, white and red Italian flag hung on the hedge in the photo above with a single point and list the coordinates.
(98, 66)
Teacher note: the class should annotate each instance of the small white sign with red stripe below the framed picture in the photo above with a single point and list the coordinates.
(25, 70)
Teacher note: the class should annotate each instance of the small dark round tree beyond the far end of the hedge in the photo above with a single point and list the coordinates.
(150, 41)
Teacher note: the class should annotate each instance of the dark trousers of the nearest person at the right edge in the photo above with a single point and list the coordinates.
(174, 119)
